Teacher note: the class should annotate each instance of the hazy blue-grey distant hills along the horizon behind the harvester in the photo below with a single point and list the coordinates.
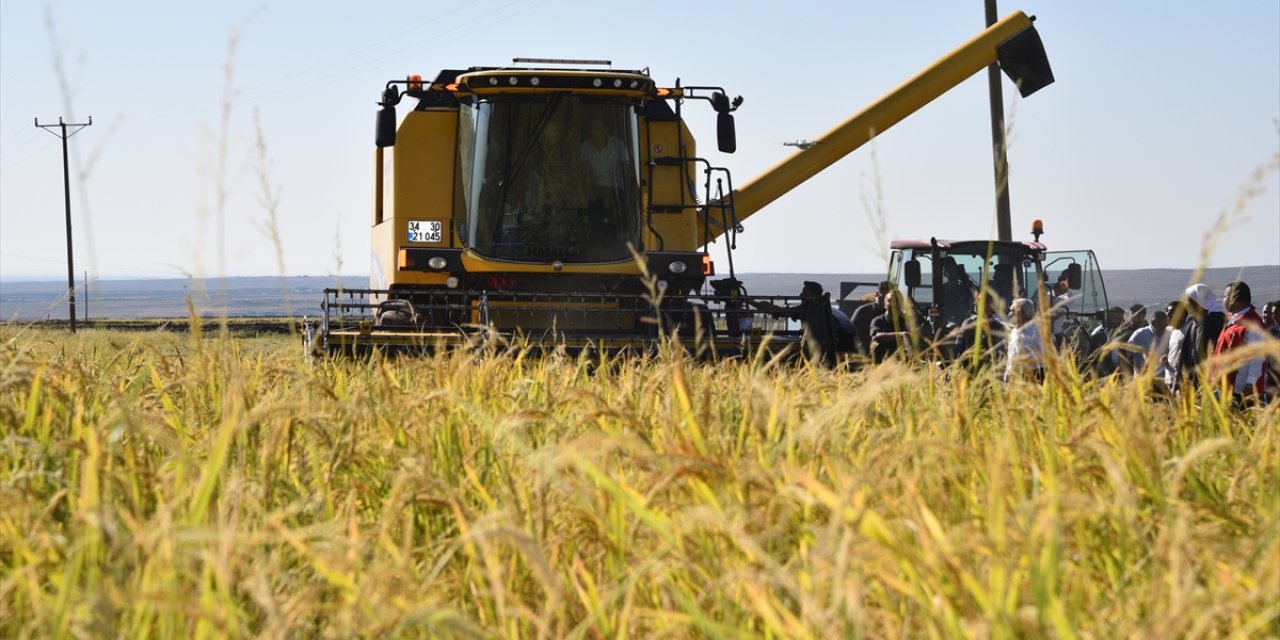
(303, 295)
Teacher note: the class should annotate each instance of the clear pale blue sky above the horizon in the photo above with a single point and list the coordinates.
(220, 124)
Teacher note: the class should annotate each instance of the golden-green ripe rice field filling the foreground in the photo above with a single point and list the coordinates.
(191, 486)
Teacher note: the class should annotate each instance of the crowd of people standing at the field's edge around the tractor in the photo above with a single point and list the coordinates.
(1195, 336)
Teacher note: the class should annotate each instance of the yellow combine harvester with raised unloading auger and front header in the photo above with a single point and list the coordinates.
(564, 204)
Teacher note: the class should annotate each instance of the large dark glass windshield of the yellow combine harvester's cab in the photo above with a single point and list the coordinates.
(551, 177)
